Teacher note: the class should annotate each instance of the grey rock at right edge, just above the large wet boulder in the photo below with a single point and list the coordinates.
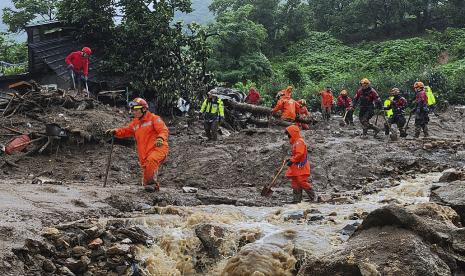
(452, 195)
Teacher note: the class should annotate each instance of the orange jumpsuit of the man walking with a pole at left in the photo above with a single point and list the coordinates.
(146, 131)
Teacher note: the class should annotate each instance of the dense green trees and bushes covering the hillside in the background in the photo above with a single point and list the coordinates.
(270, 43)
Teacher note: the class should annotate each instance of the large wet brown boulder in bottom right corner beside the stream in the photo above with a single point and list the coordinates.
(395, 240)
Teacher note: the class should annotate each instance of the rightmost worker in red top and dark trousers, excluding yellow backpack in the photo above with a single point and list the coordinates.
(421, 109)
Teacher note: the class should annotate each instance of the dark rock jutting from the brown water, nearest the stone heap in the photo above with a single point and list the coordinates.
(212, 238)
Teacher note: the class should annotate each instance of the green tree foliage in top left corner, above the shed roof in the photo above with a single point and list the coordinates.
(26, 11)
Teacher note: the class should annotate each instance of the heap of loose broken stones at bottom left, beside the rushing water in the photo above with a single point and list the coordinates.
(85, 248)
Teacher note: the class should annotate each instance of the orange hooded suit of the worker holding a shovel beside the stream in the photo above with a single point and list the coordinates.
(299, 171)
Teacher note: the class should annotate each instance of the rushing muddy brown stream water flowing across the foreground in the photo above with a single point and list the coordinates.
(273, 234)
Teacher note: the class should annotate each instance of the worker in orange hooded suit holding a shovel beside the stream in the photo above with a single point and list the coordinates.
(299, 165)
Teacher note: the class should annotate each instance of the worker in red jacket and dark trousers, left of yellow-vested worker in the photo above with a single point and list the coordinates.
(368, 99)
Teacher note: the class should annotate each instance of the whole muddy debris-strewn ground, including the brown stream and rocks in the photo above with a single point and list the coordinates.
(56, 218)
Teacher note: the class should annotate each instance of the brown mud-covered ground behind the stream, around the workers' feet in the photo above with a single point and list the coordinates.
(230, 171)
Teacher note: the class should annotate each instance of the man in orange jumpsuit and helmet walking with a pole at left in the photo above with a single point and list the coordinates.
(151, 135)
